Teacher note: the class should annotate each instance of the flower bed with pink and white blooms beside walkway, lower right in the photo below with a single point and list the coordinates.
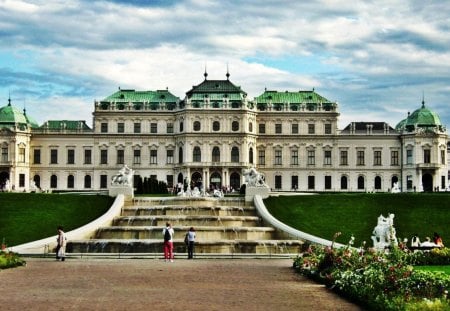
(378, 280)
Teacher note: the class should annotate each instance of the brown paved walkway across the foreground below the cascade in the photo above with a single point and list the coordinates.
(152, 284)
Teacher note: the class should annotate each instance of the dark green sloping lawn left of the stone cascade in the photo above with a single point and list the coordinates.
(26, 217)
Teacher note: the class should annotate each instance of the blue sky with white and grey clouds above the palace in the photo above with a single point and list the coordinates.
(375, 58)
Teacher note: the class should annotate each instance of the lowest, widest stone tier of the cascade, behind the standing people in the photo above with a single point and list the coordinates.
(206, 247)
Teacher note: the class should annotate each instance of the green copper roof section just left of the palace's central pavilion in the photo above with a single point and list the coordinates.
(141, 96)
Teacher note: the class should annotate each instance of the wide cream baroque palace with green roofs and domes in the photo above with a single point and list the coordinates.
(215, 133)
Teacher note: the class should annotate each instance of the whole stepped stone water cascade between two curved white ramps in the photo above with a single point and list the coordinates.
(224, 227)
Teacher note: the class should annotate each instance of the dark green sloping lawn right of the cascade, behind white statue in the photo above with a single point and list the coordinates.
(325, 214)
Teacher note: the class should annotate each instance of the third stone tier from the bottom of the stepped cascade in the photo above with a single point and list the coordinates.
(188, 220)
